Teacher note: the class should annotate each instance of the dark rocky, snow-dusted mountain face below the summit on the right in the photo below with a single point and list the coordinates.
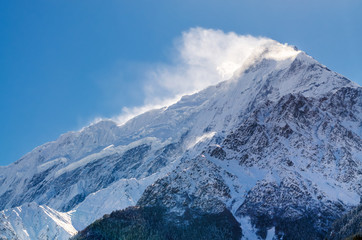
(290, 165)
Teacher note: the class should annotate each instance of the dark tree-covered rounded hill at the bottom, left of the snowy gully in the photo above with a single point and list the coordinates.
(155, 223)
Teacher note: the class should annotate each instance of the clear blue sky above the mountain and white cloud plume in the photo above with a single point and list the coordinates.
(64, 63)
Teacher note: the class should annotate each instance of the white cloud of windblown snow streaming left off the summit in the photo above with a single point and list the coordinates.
(202, 57)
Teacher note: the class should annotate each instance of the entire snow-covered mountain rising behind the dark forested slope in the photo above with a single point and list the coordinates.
(278, 142)
